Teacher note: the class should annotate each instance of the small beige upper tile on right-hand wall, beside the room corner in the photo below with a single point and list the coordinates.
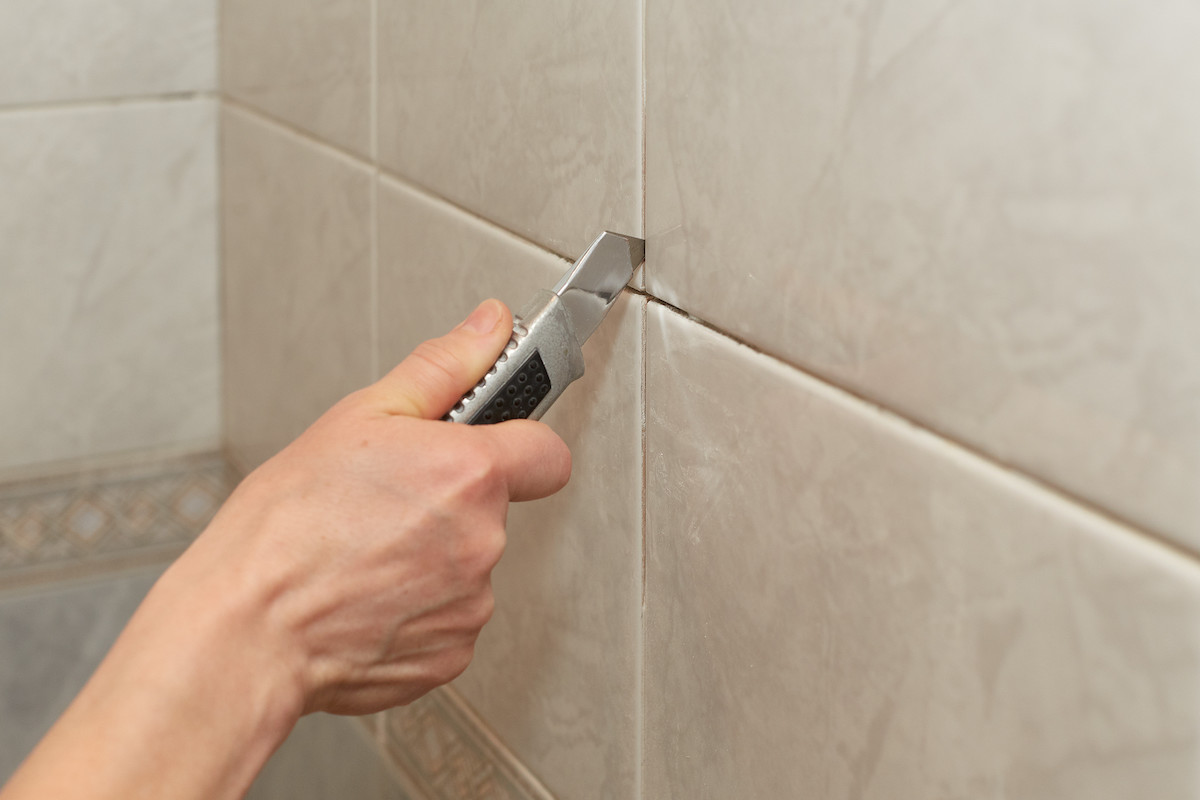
(305, 62)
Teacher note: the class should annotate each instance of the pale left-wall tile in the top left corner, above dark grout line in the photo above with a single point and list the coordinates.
(63, 50)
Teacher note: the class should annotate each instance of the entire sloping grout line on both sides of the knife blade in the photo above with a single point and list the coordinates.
(964, 447)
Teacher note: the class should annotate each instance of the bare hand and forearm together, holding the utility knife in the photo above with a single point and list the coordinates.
(350, 574)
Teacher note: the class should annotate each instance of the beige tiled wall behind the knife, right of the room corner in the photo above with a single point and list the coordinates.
(885, 485)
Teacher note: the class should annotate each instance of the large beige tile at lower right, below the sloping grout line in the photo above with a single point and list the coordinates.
(841, 606)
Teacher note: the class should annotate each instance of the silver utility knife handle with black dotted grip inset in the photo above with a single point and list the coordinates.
(538, 364)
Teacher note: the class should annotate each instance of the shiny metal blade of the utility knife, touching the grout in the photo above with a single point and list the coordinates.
(590, 288)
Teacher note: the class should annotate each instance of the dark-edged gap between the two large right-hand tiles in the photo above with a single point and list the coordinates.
(961, 450)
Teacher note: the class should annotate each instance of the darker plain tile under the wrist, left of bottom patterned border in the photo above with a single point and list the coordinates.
(327, 757)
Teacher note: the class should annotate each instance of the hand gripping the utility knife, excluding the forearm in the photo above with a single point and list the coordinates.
(369, 543)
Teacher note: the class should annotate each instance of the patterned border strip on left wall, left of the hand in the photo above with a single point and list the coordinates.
(119, 518)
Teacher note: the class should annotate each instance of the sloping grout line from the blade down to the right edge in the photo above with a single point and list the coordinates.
(965, 449)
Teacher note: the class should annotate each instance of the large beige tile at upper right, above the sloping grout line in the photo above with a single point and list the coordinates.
(979, 213)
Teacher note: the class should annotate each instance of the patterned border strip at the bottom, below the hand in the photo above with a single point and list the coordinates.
(447, 753)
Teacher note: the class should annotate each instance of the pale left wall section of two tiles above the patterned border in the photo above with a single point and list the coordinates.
(109, 216)
